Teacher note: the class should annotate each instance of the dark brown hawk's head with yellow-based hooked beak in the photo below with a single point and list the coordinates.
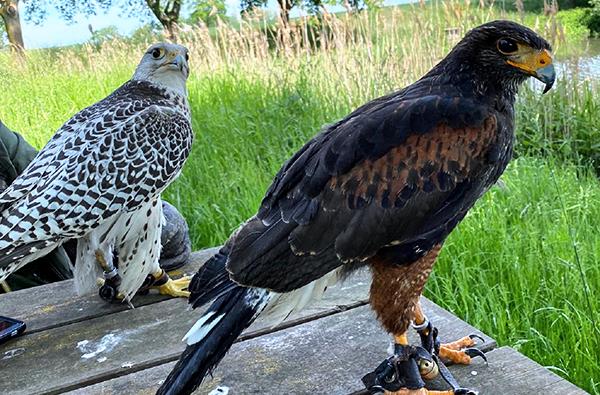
(507, 53)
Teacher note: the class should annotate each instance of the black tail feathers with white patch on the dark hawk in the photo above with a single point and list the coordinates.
(233, 310)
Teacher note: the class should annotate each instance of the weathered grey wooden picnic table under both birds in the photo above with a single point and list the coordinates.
(83, 345)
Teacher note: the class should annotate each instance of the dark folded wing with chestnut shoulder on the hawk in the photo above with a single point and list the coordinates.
(393, 178)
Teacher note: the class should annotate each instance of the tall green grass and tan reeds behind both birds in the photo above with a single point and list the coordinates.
(509, 268)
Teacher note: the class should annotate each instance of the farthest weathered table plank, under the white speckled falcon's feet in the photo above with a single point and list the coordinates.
(57, 304)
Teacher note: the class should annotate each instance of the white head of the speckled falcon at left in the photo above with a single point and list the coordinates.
(164, 64)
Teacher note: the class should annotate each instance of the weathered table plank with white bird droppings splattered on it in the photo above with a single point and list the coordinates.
(134, 339)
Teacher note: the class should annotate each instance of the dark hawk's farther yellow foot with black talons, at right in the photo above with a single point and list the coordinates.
(460, 351)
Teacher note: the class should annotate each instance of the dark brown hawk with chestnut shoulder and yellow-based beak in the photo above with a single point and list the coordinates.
(382, 188)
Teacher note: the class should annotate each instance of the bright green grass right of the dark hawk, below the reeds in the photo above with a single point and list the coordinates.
(510, 268)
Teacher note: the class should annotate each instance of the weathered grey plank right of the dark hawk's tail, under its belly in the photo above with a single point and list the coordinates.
(327, 356)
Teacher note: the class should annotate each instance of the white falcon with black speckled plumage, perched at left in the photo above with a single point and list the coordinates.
(99, 180)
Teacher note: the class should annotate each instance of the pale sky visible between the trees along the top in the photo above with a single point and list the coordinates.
(54, 31)
